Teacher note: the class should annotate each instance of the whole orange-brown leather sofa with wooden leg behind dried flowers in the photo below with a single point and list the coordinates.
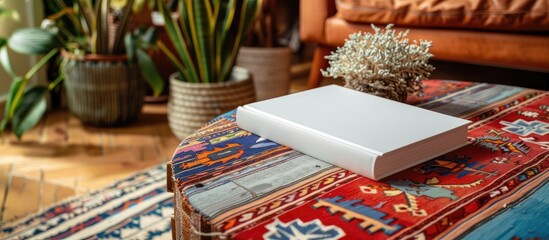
(503, 33)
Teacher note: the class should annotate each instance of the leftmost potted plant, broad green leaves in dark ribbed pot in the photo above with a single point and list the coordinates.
(103, 66)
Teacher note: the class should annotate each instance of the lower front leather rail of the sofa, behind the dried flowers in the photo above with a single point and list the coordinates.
(519, 50)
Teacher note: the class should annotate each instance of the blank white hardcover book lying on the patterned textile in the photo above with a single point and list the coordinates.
(369, 135)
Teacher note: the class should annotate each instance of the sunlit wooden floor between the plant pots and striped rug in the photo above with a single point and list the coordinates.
(62, 158)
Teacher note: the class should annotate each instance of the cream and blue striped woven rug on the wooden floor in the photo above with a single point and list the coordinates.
(135, 208)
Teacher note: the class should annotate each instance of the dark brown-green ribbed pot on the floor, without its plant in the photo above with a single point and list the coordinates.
(103, 91)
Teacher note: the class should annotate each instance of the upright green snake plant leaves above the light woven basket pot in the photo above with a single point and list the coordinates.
(207, 36)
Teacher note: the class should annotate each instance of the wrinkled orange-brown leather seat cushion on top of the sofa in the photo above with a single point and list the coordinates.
(498, 15)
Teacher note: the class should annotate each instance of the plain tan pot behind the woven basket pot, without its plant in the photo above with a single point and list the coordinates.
(270, 68)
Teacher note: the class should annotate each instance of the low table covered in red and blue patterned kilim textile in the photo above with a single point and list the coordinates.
(229, 183)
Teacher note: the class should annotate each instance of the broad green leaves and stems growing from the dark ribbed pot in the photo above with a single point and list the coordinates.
(81, 28)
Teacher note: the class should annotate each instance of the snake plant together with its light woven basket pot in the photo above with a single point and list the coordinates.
(206, 37)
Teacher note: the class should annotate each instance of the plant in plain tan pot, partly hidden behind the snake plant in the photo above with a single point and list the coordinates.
(268, 61)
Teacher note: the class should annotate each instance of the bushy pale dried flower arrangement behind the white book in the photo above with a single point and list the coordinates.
(384, 63)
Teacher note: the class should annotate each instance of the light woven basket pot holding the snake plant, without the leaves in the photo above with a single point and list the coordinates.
(191, 105)
